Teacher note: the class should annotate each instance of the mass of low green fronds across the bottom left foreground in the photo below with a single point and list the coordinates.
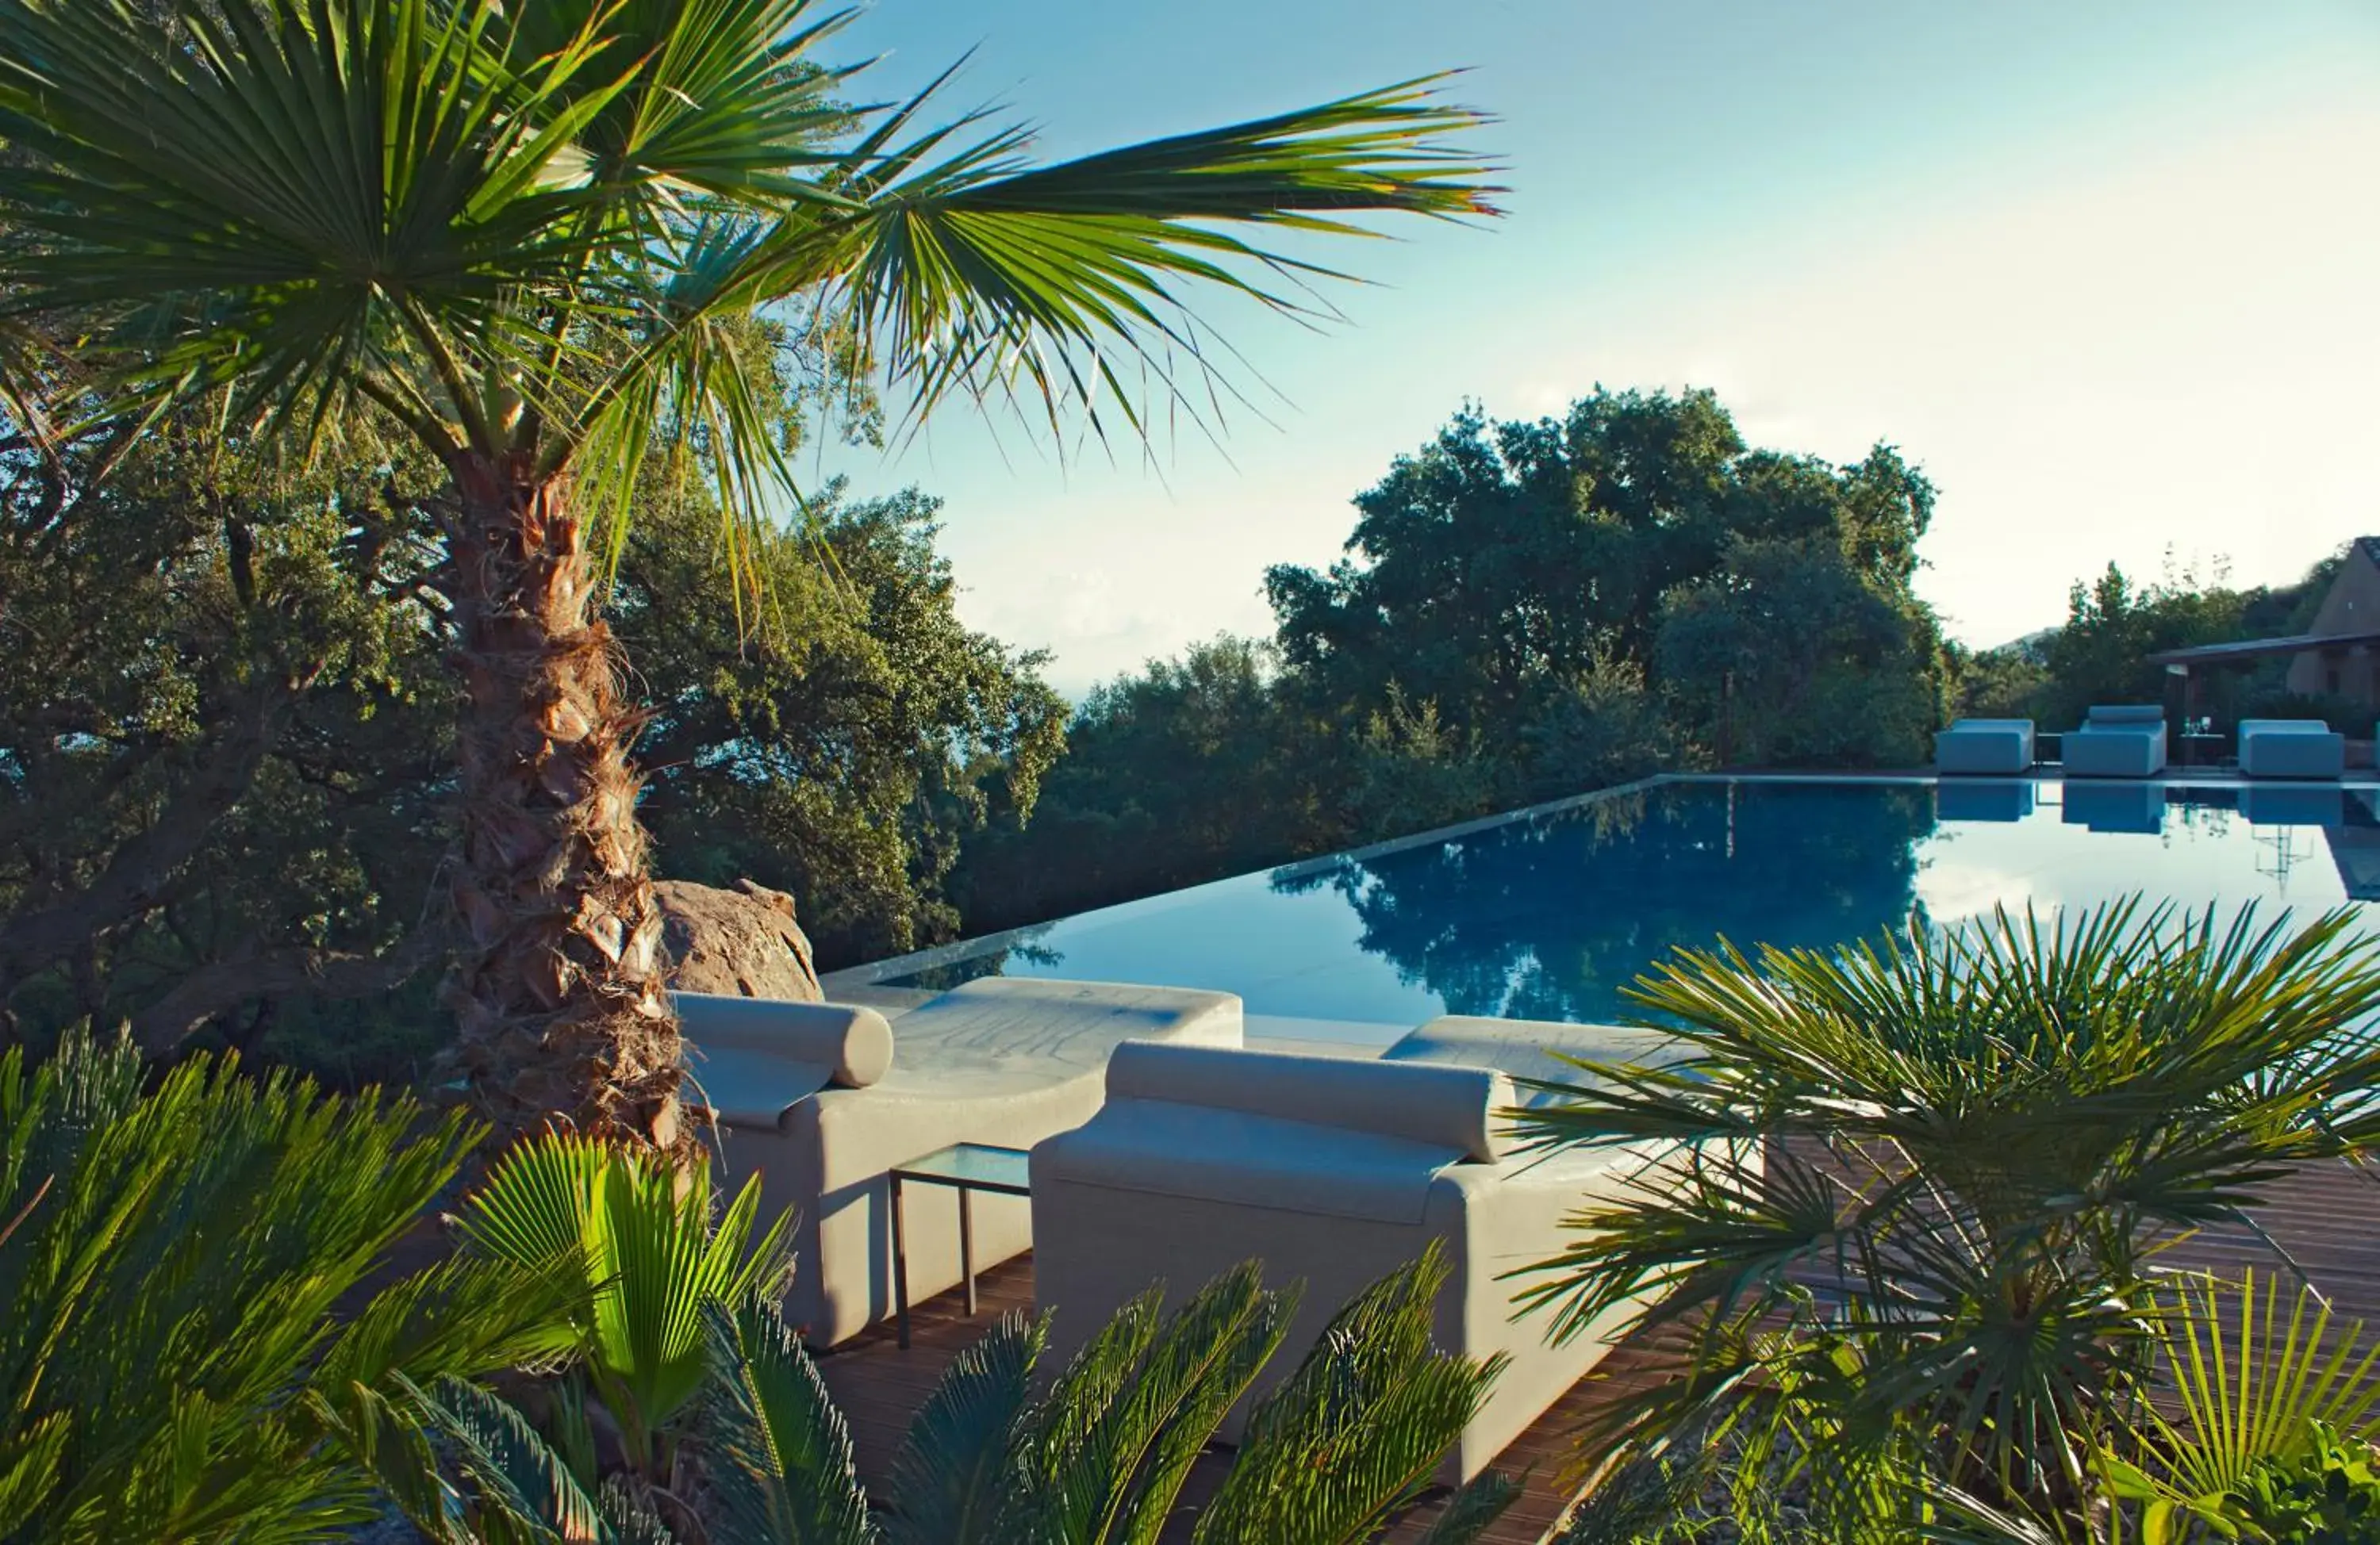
(211, 1341)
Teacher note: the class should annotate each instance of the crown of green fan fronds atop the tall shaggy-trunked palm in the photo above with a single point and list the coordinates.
(518, 227)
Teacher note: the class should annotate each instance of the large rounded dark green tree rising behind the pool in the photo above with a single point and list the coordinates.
(1498, 568)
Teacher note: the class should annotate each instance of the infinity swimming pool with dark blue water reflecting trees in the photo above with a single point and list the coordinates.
(1548, 913)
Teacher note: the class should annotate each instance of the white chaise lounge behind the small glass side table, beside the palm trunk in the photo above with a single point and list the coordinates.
(822, 1101)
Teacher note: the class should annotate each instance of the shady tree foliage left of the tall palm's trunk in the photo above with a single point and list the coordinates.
(220, 737)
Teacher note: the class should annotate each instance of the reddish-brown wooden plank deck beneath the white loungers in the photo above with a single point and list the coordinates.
(2329, 1222)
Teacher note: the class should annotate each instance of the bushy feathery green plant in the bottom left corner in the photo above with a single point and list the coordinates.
(170, 1358)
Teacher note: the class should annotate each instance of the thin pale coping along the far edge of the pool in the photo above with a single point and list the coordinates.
(1025, 934)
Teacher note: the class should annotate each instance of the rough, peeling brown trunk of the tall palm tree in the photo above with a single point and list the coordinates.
(563, 1018)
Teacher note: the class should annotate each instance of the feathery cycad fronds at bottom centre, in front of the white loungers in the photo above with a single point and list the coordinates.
(1101, 1458)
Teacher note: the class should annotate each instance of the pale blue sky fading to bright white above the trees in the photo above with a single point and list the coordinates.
(2107, 273)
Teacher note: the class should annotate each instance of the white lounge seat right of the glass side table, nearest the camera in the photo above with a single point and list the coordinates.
(1334, 1172)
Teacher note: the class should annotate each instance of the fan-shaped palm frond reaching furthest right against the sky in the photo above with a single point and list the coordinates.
(987, 277)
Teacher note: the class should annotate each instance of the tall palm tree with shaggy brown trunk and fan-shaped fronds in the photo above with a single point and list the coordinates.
(534, 242)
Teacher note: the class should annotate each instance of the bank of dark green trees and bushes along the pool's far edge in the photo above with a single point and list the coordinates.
(1527, 611)
